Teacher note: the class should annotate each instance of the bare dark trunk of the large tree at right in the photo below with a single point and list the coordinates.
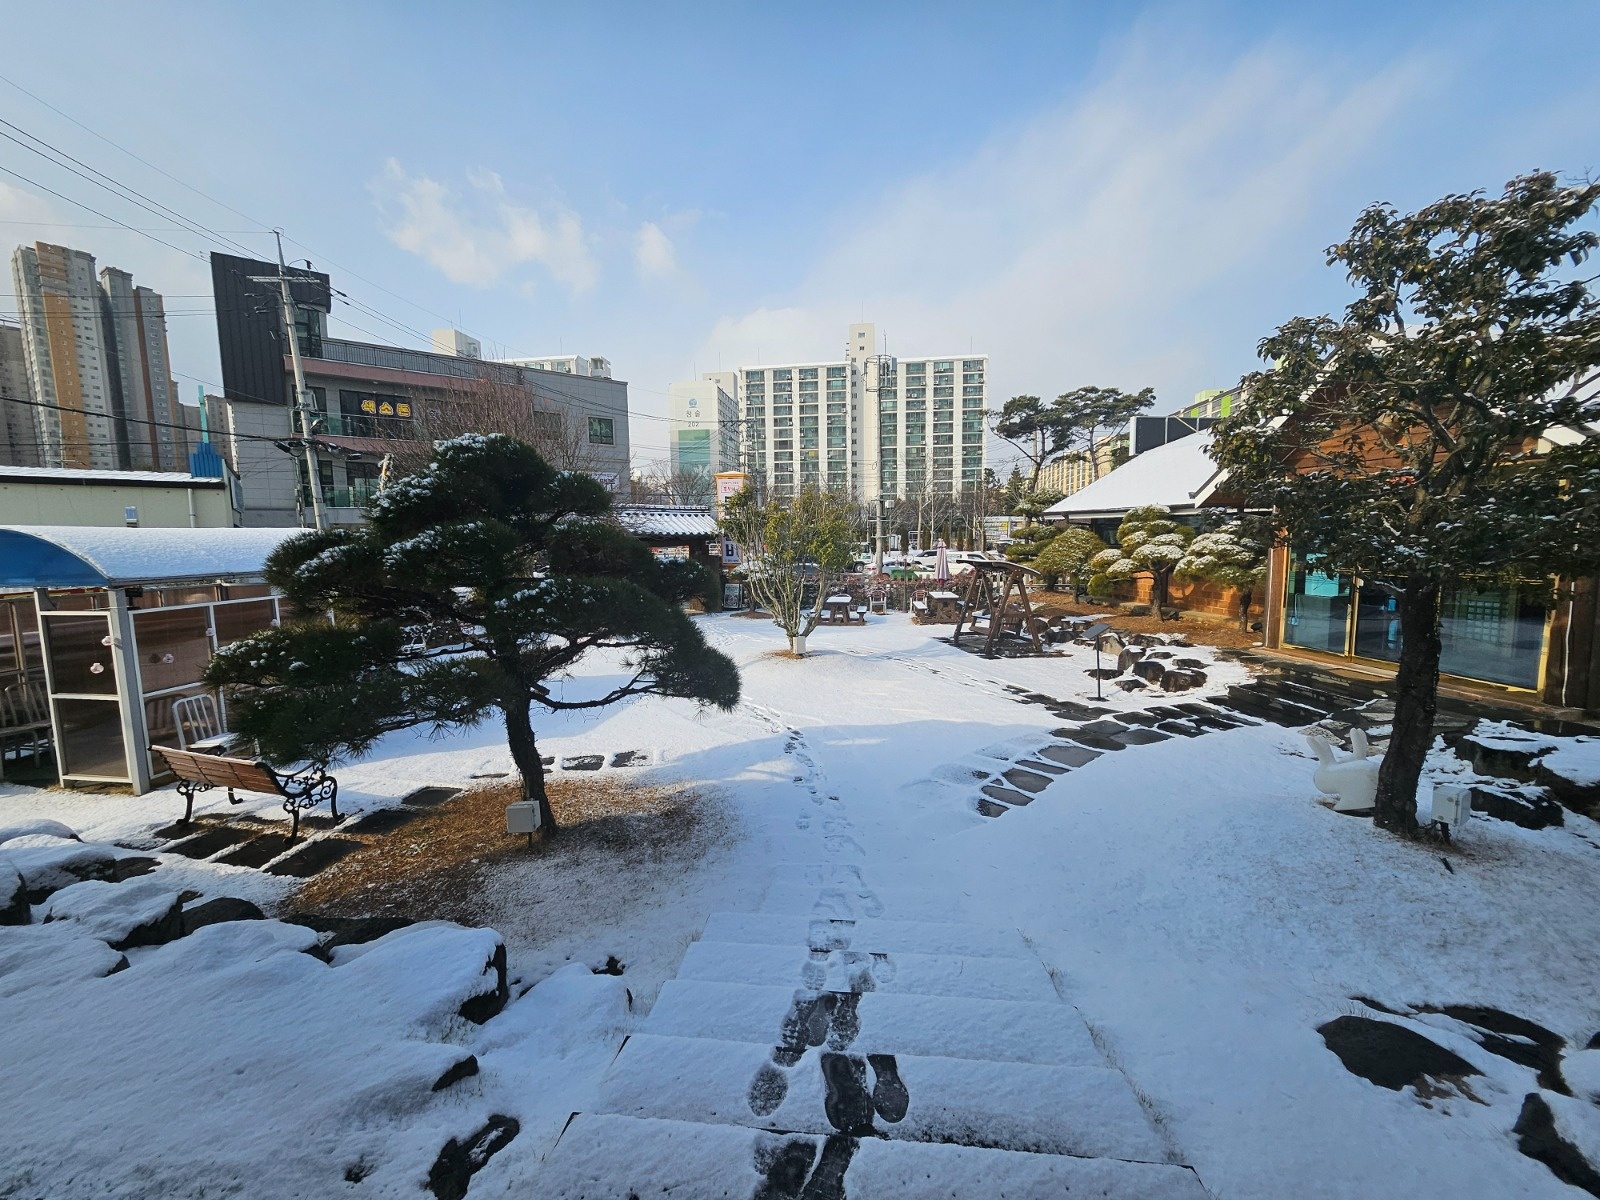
(1417, 702)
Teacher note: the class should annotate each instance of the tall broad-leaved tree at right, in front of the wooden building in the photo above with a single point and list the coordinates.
(1441, 430)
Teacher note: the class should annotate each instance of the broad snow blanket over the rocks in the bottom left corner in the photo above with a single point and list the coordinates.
(233, 1063)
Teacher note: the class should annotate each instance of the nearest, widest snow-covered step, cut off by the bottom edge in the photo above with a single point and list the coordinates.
(607, 1158)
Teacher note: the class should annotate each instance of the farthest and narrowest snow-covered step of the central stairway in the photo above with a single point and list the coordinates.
(820, 934)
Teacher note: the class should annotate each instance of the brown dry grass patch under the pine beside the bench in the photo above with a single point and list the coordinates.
(442, 865)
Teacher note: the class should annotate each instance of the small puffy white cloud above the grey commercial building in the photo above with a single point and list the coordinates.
(481, 238)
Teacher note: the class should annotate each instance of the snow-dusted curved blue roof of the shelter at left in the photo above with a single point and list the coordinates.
(71, 556)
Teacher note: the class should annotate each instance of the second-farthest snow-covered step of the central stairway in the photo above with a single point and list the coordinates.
(868, 972)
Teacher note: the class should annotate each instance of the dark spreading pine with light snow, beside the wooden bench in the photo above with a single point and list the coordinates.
(511, 569)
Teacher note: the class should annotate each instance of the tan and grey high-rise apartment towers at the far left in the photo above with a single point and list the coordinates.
(97, 361)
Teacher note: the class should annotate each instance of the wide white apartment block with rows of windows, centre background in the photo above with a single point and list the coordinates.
(870, 425)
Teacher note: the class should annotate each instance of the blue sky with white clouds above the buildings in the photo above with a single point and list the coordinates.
(1122, 196)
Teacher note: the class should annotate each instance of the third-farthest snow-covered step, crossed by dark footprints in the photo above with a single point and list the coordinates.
(890, 1023)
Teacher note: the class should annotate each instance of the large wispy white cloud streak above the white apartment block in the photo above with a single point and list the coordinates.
(1130, 238)
